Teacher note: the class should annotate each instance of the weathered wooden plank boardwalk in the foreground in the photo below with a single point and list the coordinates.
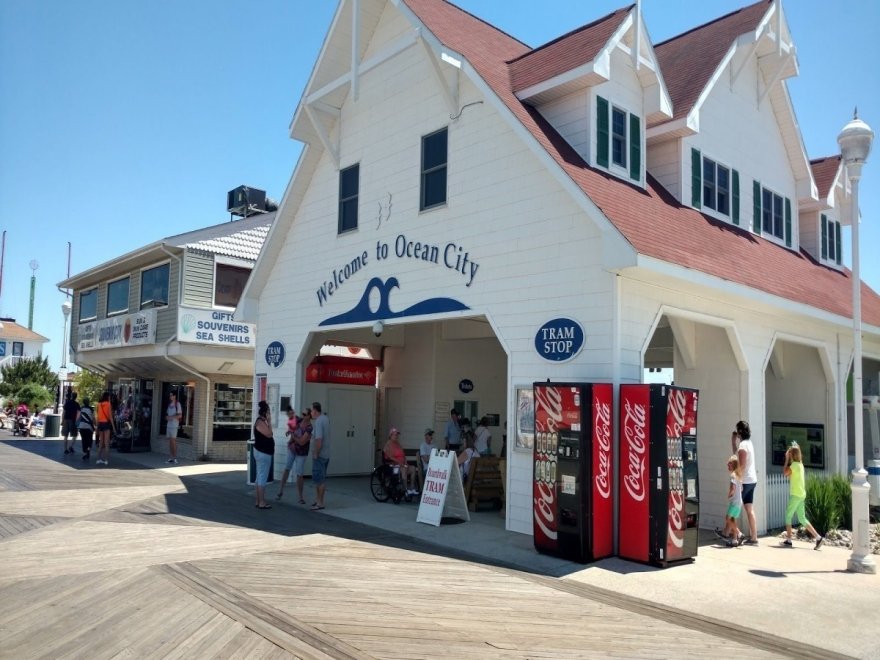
(138, 563)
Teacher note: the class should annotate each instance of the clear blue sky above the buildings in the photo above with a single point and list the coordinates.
(122, 122)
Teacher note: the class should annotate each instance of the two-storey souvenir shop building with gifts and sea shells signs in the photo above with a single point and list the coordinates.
(159, 320)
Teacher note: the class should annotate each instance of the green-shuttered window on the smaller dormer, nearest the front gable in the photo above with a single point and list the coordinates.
(618, 140)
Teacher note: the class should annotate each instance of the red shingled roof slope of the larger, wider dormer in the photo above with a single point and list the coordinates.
(689, 60)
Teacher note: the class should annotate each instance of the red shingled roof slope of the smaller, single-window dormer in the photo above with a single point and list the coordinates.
(565, 53)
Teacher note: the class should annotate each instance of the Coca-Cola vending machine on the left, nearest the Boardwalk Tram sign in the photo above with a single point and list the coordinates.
(572, 477)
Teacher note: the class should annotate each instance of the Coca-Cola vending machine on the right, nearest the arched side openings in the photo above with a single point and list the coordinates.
(658, 493)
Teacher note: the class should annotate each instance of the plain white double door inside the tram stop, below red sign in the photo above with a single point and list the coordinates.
(351, 414)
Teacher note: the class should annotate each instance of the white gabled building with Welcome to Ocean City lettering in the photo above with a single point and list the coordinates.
(464, 190)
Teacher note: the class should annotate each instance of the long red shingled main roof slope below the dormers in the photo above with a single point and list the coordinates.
(651, 220)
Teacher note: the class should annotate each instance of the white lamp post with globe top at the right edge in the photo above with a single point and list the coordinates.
(855, 145)
